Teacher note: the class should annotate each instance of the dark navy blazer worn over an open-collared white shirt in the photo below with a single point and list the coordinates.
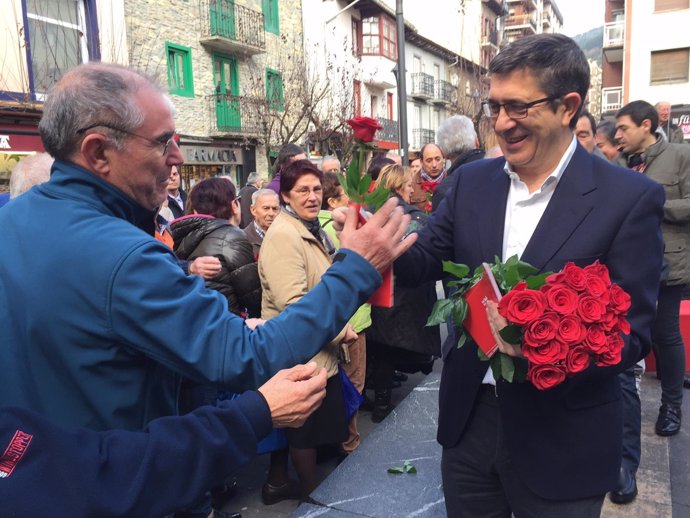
(564, 442)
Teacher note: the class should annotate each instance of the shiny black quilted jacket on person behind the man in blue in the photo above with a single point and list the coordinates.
(199, 235)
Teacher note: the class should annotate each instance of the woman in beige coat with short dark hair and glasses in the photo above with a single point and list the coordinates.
(295, 253)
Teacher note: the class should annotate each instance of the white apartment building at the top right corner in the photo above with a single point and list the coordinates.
(647, 56)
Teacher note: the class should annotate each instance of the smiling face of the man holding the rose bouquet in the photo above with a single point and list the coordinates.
(534, 145)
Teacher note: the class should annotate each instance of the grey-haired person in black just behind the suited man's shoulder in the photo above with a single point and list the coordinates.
(458, 140)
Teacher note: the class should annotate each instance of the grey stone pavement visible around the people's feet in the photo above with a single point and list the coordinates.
(361, 486)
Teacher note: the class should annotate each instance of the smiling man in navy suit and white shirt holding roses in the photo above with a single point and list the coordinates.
(508, 447)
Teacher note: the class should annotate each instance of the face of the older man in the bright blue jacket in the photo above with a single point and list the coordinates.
(141, 170)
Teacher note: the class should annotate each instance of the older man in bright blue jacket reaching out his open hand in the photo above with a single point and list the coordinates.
(99, 322)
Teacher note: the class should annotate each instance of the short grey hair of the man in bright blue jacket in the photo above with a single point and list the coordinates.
(89, 95)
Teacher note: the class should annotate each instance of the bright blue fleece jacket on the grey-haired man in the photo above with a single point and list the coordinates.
(99, 322)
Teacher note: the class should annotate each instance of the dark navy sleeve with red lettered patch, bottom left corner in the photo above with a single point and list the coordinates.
(47, 470)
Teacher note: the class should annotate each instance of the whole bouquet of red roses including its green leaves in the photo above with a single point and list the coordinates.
(562, 321)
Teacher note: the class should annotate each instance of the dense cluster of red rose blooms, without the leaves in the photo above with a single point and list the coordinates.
(575, 318)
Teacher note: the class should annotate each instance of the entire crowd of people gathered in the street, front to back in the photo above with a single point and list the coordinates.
(185, 332)
